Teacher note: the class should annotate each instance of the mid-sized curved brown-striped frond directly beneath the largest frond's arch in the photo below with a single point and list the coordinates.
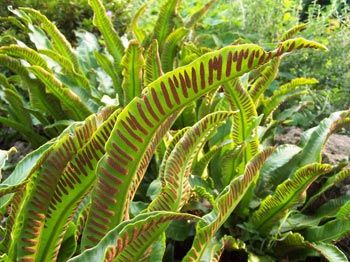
(178, 165)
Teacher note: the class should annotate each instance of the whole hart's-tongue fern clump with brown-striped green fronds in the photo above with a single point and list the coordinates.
(82, 195)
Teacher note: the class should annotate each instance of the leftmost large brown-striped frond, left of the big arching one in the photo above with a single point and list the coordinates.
(40, 192)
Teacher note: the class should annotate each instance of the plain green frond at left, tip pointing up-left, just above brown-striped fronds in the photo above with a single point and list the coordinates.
(67, 97)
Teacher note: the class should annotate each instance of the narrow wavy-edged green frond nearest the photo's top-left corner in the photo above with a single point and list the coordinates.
(59, 42)
